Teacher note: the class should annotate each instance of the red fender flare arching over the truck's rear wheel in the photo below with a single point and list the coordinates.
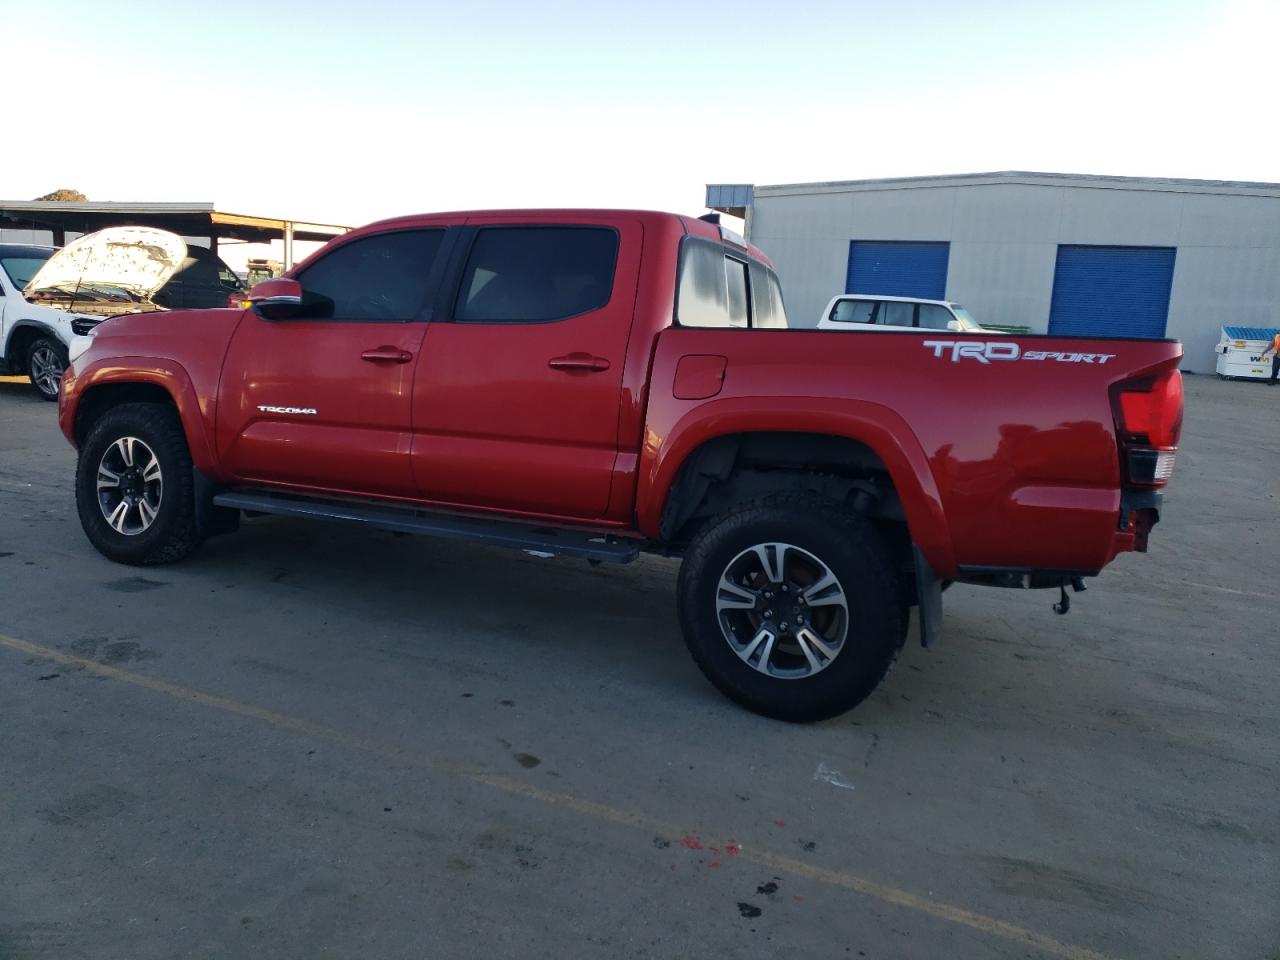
(875, 426)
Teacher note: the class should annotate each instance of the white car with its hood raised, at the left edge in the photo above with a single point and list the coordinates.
(49, 296)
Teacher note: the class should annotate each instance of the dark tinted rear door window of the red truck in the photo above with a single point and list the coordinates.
(537, 275)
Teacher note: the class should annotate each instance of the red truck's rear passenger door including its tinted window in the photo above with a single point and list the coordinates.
(518, 392)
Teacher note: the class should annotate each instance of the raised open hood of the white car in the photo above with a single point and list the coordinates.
(135, 259)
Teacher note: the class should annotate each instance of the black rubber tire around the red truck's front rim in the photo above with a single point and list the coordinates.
(172, 533)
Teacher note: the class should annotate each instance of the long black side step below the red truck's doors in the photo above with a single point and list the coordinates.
(502, 533)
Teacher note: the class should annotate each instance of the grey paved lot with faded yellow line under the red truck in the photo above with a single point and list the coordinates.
(314, 742)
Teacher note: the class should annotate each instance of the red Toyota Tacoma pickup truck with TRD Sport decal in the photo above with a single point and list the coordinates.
(601, 383)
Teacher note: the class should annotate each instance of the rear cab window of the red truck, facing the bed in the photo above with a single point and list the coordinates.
(723, 286)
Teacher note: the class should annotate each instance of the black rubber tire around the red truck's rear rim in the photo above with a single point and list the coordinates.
(852, 550)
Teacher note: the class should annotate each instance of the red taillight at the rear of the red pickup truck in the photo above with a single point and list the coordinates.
(1149, 423)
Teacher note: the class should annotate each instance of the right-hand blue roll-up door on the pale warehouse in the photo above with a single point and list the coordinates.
(1112, 291)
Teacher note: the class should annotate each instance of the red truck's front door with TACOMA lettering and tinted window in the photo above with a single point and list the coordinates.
(324, 403)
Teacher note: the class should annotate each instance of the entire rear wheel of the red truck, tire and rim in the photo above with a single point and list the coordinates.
(790, 607)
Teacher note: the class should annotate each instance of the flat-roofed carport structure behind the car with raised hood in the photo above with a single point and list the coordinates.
(185, 220)
